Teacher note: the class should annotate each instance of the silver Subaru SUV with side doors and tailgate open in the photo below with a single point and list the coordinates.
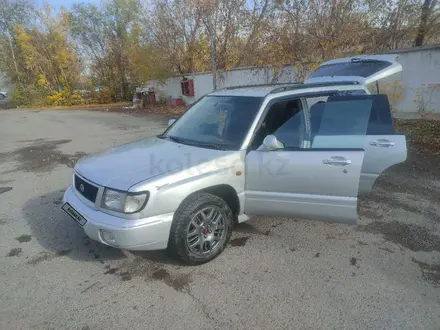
(297, 150)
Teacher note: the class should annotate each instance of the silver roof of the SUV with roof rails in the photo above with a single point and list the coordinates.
(264, 90)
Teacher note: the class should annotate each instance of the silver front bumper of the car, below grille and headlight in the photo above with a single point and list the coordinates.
(143, 234)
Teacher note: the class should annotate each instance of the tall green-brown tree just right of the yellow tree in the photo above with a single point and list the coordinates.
(103, 39)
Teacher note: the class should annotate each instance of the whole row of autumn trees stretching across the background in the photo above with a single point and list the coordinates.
(119, 44)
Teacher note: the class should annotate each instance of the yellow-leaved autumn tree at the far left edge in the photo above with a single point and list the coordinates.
(40, 57)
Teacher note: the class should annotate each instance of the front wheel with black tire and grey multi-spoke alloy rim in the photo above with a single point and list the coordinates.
(192, 211)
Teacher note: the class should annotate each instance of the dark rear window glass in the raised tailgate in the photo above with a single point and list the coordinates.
(360, 69)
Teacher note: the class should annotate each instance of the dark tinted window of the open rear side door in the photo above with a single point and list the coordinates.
(380, 121)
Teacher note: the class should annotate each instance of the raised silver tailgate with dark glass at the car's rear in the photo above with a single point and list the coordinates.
(365, 69)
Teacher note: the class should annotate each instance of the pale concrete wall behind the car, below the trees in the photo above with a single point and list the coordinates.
(415, 90)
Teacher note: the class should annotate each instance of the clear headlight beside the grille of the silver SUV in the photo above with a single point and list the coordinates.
(124, 202)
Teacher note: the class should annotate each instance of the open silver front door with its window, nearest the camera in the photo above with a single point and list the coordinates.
(319, 181)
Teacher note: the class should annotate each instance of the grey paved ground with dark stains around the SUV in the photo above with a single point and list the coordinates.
(277, 272)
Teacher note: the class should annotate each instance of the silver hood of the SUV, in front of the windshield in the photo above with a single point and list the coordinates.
(124, 166)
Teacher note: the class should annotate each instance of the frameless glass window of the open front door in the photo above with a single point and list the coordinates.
(332, 125)
